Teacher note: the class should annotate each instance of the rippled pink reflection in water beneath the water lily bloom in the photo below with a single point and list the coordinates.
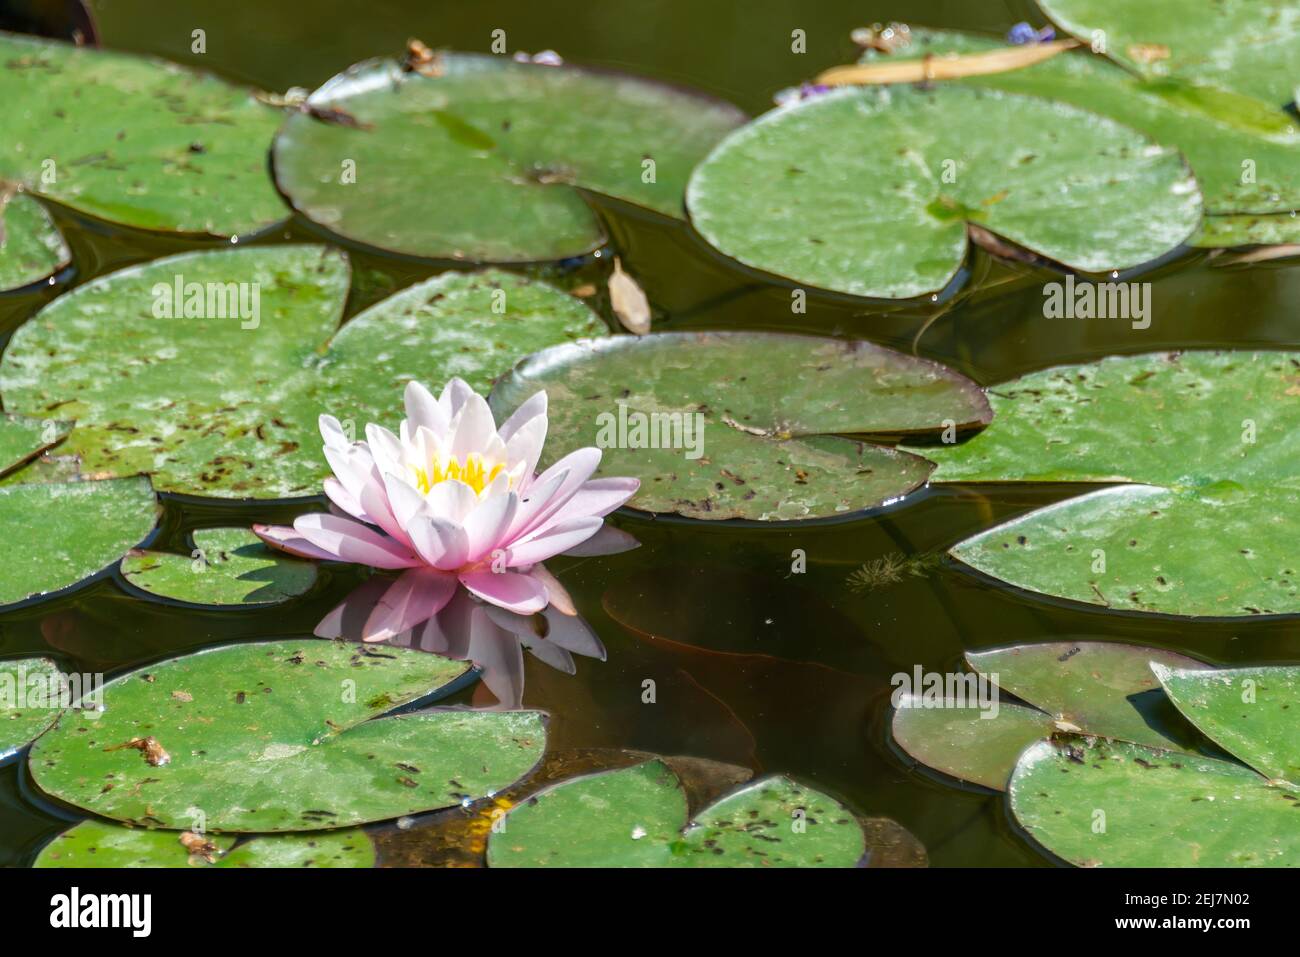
(474, 631)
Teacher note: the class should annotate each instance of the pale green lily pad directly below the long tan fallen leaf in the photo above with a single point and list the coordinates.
(870, 192)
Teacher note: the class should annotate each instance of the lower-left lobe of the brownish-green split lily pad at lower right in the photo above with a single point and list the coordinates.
(959, 741)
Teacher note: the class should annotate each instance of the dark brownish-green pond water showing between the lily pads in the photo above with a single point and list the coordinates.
(755, 665)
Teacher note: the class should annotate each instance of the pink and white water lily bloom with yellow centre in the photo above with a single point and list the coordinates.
(452, 499)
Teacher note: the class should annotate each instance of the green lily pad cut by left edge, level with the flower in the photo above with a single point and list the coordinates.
(57, 535)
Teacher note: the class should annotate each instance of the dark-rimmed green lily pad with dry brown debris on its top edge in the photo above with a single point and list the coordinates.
(482, 161)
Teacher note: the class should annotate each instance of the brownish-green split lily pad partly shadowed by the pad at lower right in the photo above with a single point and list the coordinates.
(1100, 688)
